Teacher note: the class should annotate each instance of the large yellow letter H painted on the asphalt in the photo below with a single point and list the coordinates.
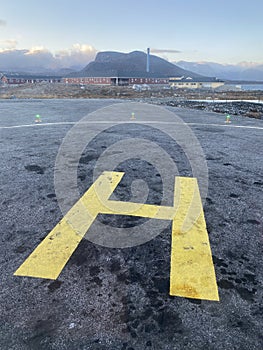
(192, 271)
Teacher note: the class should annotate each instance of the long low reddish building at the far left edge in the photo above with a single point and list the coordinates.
(31, 79)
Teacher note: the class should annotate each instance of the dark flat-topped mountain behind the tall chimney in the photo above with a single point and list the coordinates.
(133, 64)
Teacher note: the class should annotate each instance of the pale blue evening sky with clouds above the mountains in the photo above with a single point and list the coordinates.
(64, 33)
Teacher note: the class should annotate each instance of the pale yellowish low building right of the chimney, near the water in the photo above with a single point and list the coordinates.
(195, 83)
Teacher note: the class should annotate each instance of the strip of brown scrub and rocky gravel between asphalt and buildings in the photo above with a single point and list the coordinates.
(156, 95)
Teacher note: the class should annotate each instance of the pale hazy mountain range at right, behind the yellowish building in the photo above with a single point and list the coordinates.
(242, 71)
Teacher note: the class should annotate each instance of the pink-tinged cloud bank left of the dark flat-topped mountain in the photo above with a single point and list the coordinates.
(40, 58)
